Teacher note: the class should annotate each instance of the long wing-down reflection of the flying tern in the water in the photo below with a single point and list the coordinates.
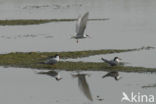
(83, 85)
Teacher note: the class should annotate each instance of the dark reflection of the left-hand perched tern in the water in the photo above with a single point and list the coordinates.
(54, 74)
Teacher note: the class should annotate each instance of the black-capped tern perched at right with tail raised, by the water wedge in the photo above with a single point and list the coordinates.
(113, 62)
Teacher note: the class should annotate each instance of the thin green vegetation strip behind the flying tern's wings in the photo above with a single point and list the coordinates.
(38, 21)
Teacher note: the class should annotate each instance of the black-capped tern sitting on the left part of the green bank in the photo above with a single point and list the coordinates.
(52, 60)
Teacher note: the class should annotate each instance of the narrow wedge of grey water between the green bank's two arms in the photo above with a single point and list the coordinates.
(143, 58)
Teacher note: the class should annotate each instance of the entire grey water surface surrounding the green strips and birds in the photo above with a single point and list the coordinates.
(131, 24)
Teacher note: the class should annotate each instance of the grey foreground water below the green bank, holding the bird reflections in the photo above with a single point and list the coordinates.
(19, 85)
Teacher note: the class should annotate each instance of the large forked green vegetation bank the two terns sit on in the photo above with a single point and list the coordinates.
(35, 59)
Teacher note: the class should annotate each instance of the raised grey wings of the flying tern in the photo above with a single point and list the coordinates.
(81, 24)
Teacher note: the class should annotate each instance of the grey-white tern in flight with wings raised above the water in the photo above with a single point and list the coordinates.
(81, 26)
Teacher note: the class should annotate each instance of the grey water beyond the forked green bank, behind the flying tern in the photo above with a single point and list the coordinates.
(131, 24)
